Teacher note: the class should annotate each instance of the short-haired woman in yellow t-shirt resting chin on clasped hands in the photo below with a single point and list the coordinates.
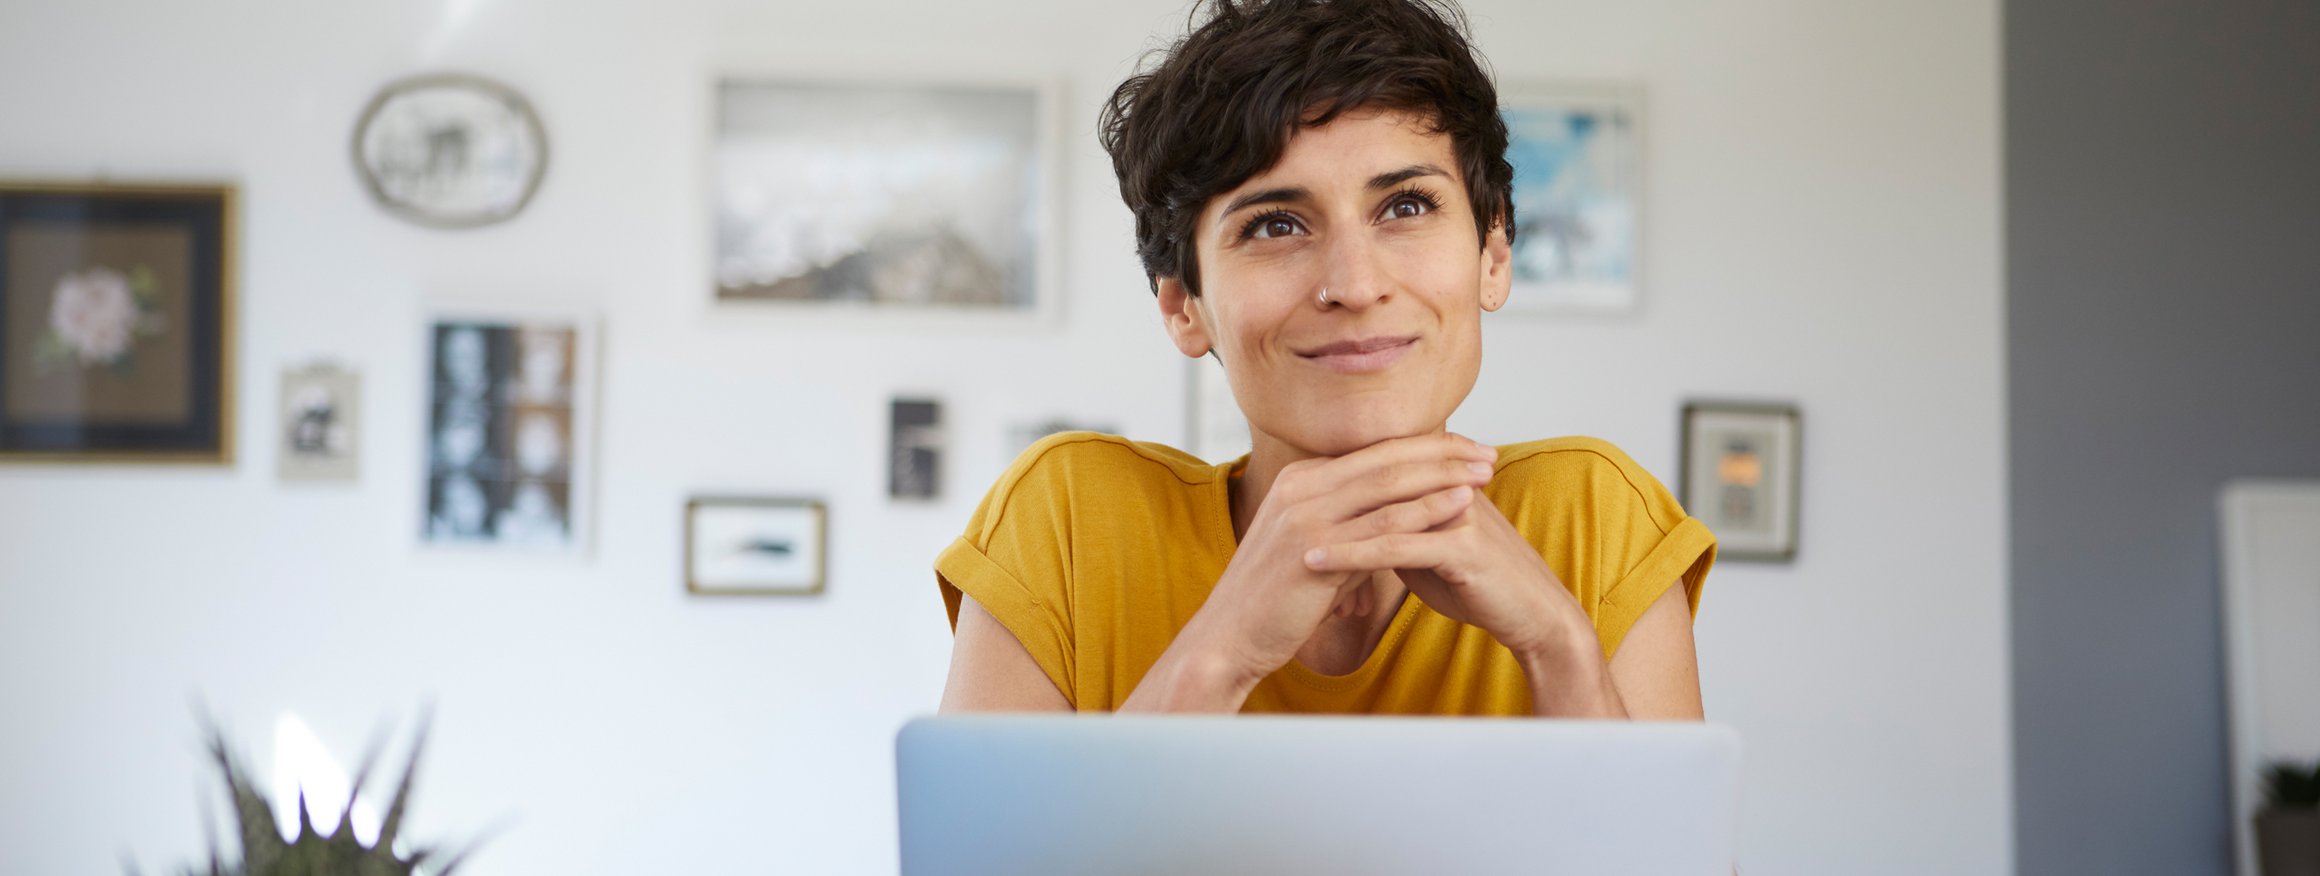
(1324, 205)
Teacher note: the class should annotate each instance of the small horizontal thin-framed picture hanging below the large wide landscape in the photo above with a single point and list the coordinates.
(755, 546)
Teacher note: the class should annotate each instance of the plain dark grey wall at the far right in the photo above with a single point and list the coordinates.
(2163, 305)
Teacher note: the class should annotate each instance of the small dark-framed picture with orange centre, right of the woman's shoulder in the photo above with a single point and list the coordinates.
(1741, 476)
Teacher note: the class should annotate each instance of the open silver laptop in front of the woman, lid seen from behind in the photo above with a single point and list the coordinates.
(1027, 794)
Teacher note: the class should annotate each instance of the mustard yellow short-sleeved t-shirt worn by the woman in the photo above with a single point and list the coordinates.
(1094, 550)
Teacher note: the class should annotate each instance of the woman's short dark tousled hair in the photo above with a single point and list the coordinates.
(1224, 101)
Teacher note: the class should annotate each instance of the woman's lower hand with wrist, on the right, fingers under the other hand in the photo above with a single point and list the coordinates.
(1474, 569)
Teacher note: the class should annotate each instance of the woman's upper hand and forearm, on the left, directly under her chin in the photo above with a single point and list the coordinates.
(1270, 601)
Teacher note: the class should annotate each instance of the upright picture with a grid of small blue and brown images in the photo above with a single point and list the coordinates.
(509, 423)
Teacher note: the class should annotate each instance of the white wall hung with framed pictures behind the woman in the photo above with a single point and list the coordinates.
(1822, 228)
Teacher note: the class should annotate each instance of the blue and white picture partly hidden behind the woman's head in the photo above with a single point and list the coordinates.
(1579, 198)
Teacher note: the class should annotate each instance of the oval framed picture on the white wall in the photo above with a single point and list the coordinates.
(451, 149)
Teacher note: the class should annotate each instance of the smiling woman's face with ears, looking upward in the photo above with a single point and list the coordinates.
(1370, 207)
